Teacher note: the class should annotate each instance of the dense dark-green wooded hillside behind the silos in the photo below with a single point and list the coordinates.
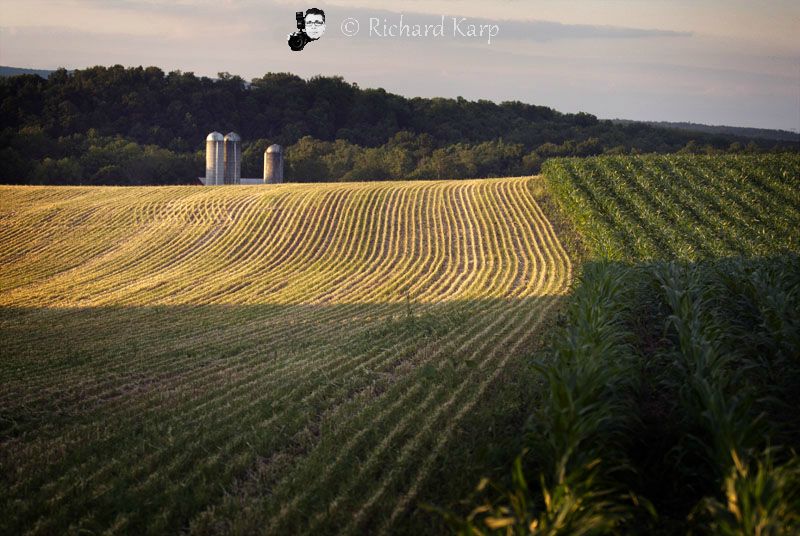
(116, 125)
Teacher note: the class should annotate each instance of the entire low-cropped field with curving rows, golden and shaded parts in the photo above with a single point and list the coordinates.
(279, 359)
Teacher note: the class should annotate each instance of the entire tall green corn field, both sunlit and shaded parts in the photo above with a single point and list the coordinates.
(671, 387)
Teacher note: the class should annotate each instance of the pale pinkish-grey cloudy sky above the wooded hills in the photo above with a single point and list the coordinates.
(720, 62)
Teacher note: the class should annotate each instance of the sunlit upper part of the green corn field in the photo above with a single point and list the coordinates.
(684, 207)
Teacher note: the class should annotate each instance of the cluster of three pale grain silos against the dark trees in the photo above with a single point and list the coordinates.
(224, 161)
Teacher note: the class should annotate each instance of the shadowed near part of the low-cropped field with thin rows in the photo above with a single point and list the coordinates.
(215, 418)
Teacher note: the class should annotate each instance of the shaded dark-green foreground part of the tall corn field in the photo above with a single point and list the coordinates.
(694, 409)
